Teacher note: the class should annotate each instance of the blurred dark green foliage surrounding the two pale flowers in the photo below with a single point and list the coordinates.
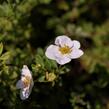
(27, 27)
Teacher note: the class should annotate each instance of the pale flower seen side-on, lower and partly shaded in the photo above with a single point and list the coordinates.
(25, 83)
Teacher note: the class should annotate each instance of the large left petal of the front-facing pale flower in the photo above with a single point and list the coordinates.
(51, 51)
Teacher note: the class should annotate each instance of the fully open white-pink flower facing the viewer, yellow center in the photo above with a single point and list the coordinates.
(64, 50)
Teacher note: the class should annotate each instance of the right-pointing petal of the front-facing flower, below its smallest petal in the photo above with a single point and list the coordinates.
(76, 53)
